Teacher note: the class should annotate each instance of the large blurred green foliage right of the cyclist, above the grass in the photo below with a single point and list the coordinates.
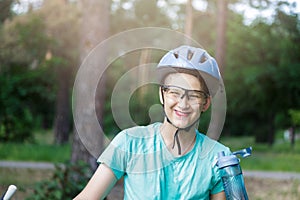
(262, 76)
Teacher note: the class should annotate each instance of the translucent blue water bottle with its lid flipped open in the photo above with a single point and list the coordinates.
(232, 176)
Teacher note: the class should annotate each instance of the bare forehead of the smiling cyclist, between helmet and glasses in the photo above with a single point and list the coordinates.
(186, 81)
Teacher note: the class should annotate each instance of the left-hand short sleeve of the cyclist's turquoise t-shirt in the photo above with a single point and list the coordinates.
(114, 156)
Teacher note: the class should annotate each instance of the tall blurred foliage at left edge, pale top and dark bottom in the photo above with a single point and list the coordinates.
(27, 97)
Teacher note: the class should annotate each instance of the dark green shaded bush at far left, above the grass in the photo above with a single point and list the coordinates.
(20, 93)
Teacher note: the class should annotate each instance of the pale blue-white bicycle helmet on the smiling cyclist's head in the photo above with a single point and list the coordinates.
(191, 58)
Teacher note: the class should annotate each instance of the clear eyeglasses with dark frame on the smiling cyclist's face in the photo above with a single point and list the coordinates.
(177, 93)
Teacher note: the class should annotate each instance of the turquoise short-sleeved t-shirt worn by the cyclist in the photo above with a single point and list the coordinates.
(151, 172)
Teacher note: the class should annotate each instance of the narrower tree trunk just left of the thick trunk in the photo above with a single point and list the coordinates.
(63, 63)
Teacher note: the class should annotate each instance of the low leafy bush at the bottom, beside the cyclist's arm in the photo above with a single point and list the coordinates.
(67, 181)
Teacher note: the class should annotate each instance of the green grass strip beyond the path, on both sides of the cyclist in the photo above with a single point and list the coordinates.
(279, 157)
